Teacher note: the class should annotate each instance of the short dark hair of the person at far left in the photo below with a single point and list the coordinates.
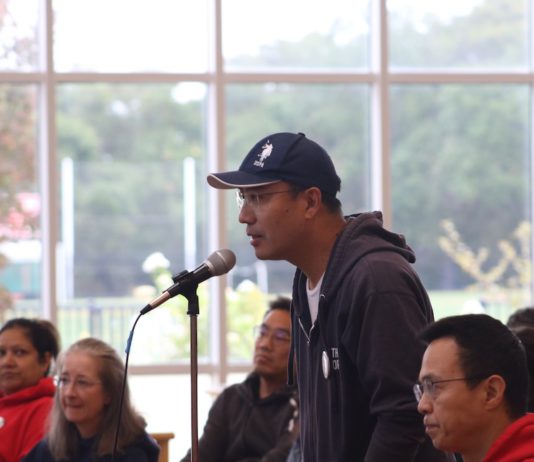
(41, 333)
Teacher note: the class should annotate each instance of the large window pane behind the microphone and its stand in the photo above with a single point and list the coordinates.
(133, 173)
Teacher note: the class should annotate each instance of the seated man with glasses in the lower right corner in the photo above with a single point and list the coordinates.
(473, 389)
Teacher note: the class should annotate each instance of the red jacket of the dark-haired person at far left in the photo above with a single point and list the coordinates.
(22, 419)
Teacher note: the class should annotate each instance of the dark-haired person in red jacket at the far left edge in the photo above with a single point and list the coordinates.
(28, 348)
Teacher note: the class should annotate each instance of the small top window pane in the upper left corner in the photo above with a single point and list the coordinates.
(18, 35)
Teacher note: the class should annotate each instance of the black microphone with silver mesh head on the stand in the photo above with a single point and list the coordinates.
(219, 262)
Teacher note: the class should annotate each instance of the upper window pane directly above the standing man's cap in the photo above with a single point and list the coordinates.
(296, 34)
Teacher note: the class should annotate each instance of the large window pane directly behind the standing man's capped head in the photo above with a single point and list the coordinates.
(337, 117)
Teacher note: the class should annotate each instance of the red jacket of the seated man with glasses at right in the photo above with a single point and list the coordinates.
(515, 444)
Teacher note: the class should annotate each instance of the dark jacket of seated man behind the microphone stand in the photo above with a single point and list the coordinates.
(241, 427)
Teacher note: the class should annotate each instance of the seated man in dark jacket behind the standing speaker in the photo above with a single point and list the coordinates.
(254, 420)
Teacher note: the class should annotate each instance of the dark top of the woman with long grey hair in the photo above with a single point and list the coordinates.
(145, 449)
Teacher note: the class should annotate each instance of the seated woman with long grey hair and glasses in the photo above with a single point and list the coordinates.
(83, 421)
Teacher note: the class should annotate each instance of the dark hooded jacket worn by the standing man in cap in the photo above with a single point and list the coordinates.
(372, 306)
